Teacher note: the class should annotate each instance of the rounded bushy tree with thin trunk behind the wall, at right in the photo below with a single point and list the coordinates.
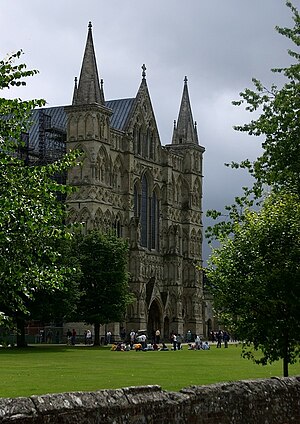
(255, 279)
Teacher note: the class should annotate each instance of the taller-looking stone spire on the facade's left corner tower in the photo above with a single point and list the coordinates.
(89, 89)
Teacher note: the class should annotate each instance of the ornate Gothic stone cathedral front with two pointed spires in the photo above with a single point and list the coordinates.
(148, 193)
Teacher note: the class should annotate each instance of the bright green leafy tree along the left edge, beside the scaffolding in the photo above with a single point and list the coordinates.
(31, 217)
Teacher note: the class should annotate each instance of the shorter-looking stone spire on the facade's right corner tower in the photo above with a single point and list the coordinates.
(185, 131)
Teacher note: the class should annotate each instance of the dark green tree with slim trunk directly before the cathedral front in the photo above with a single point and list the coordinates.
(104, 280)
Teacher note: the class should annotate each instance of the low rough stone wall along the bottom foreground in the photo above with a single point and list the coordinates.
(270, 401)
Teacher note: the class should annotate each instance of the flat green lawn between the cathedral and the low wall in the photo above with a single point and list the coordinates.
(54, 369)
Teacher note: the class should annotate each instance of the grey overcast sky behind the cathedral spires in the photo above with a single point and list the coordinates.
(218, 44)
